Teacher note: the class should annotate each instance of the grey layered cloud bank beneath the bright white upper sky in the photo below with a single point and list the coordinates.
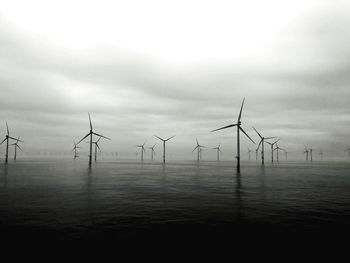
(296, 89)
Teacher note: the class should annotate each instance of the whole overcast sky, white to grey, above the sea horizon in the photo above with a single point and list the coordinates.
(176, 68)
